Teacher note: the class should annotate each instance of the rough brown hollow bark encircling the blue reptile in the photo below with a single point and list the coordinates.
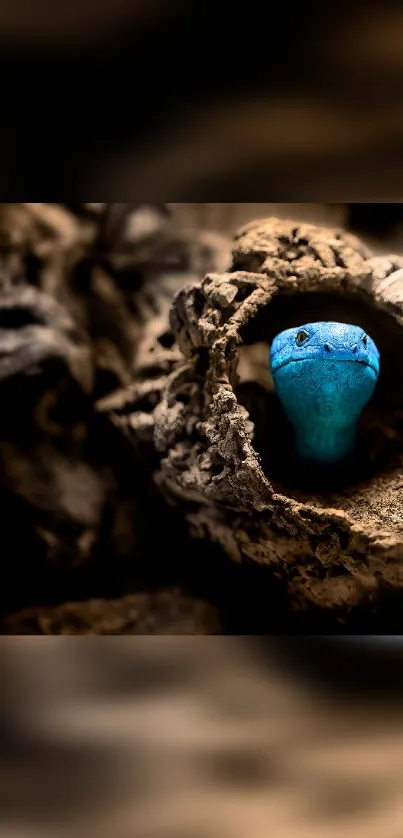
(336, 548)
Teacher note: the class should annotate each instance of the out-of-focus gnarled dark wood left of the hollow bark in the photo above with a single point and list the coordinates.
(85, 291)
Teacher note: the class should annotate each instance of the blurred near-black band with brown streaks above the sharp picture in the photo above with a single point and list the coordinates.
(190, 101)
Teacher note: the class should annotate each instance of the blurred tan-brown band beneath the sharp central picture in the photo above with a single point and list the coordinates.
(192, 737)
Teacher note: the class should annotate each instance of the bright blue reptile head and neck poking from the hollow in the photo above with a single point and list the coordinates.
(324, 375)
